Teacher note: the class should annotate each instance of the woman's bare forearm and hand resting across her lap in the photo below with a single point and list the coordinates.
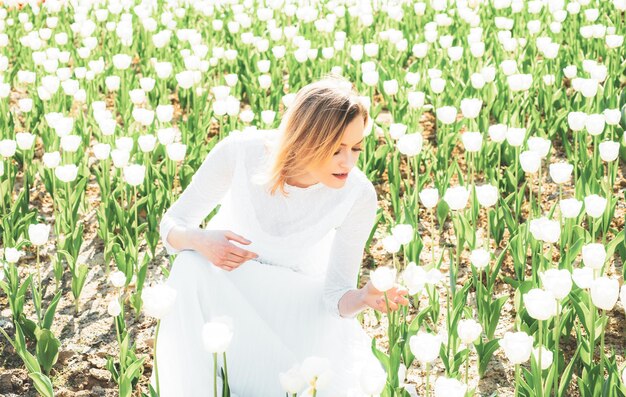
(215, 245)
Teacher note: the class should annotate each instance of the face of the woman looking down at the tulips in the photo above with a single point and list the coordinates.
(341, 162)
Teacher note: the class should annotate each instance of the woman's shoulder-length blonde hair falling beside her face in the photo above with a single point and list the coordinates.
(311, 129)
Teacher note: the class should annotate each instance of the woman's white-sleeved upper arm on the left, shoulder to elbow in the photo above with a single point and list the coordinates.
(179, 225)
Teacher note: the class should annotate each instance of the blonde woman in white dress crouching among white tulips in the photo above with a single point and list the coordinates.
(282, 265)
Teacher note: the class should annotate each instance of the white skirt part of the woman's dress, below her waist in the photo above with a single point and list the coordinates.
(278, 321)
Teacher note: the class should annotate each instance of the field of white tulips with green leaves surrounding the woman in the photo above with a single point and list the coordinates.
(496, 145)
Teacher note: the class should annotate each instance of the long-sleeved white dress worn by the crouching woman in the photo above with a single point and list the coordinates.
(284, 304)
